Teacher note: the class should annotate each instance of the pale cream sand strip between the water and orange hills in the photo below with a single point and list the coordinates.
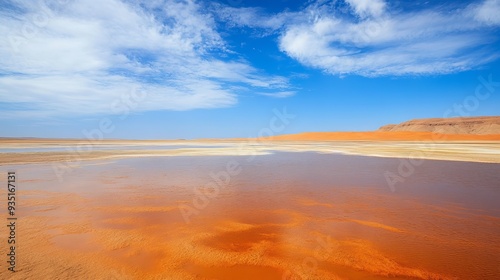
(72, 151)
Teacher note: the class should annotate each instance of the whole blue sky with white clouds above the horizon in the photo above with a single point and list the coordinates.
(194, 69)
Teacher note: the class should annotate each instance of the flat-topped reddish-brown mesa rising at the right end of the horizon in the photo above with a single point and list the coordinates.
(467, 125)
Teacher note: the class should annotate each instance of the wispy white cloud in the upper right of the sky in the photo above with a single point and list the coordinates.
(405, 43)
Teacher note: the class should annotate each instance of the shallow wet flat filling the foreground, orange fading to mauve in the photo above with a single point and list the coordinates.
(284, 215)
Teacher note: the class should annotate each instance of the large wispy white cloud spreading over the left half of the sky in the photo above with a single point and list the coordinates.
(79, 57)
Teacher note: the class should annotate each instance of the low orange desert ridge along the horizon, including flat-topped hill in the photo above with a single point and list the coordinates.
(436, 129)
